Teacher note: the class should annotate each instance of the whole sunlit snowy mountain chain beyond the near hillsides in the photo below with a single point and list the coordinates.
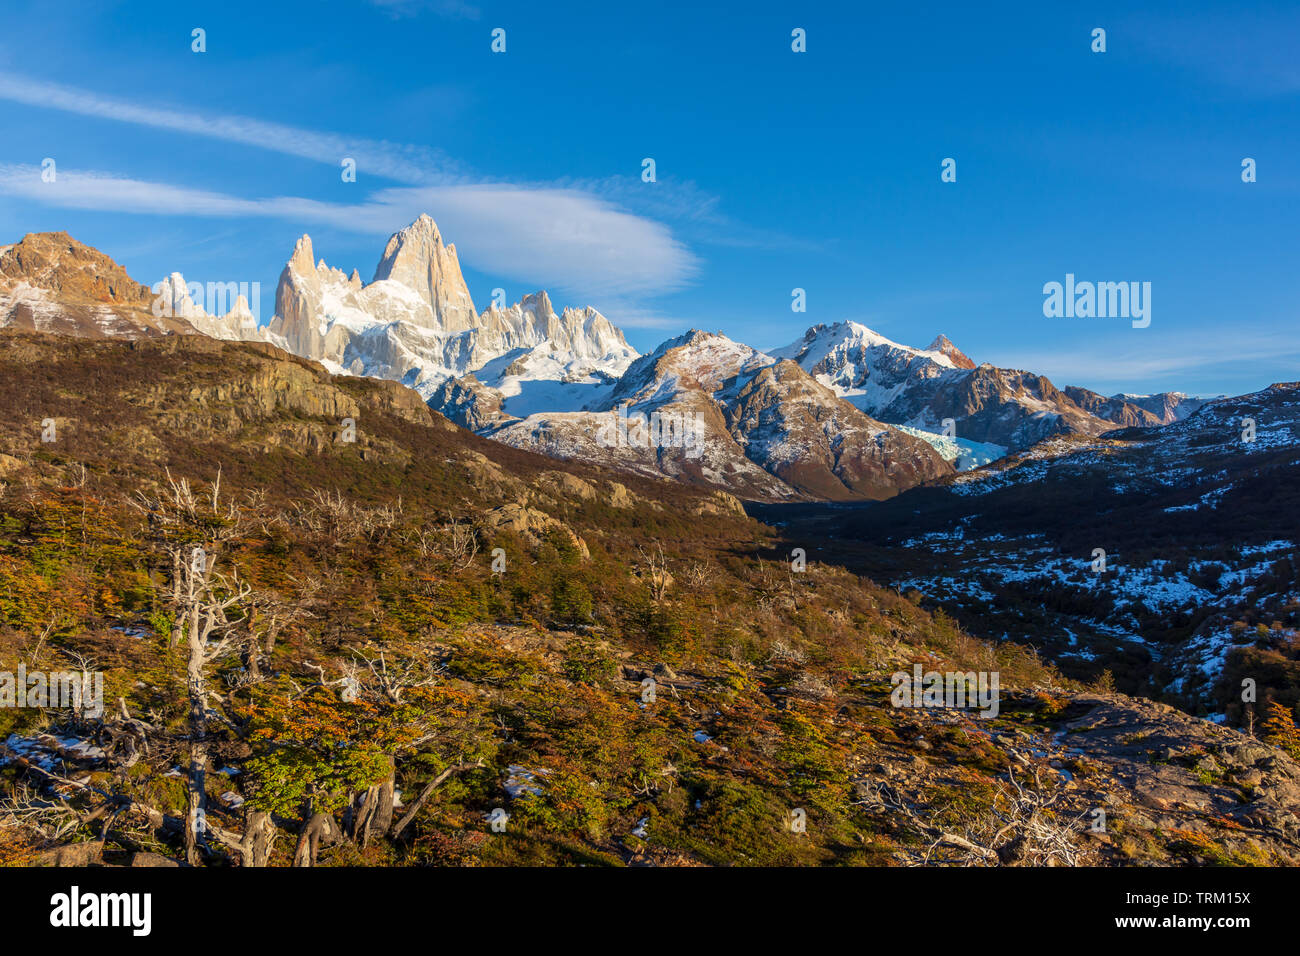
(842, 414)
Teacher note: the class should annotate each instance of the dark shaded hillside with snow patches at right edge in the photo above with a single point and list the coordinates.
(1197, 525)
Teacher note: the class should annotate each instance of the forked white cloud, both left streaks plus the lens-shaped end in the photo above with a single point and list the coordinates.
(569, 236)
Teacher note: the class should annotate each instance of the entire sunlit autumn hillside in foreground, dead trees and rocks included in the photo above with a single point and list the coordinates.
(372, 691)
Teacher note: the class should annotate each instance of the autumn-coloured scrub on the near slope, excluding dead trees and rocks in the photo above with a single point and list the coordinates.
(773, 686)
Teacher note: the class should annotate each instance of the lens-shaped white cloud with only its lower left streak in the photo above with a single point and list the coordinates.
(557, 237)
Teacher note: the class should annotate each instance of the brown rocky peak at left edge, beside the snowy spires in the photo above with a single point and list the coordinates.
(51, 283)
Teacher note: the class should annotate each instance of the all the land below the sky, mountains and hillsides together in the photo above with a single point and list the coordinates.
(453, 548)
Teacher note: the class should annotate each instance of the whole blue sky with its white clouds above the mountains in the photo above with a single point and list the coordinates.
(775, 170)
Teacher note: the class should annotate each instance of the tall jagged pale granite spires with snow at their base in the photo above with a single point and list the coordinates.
(417, 323)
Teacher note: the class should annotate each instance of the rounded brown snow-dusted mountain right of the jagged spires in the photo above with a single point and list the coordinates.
(742, 421)
